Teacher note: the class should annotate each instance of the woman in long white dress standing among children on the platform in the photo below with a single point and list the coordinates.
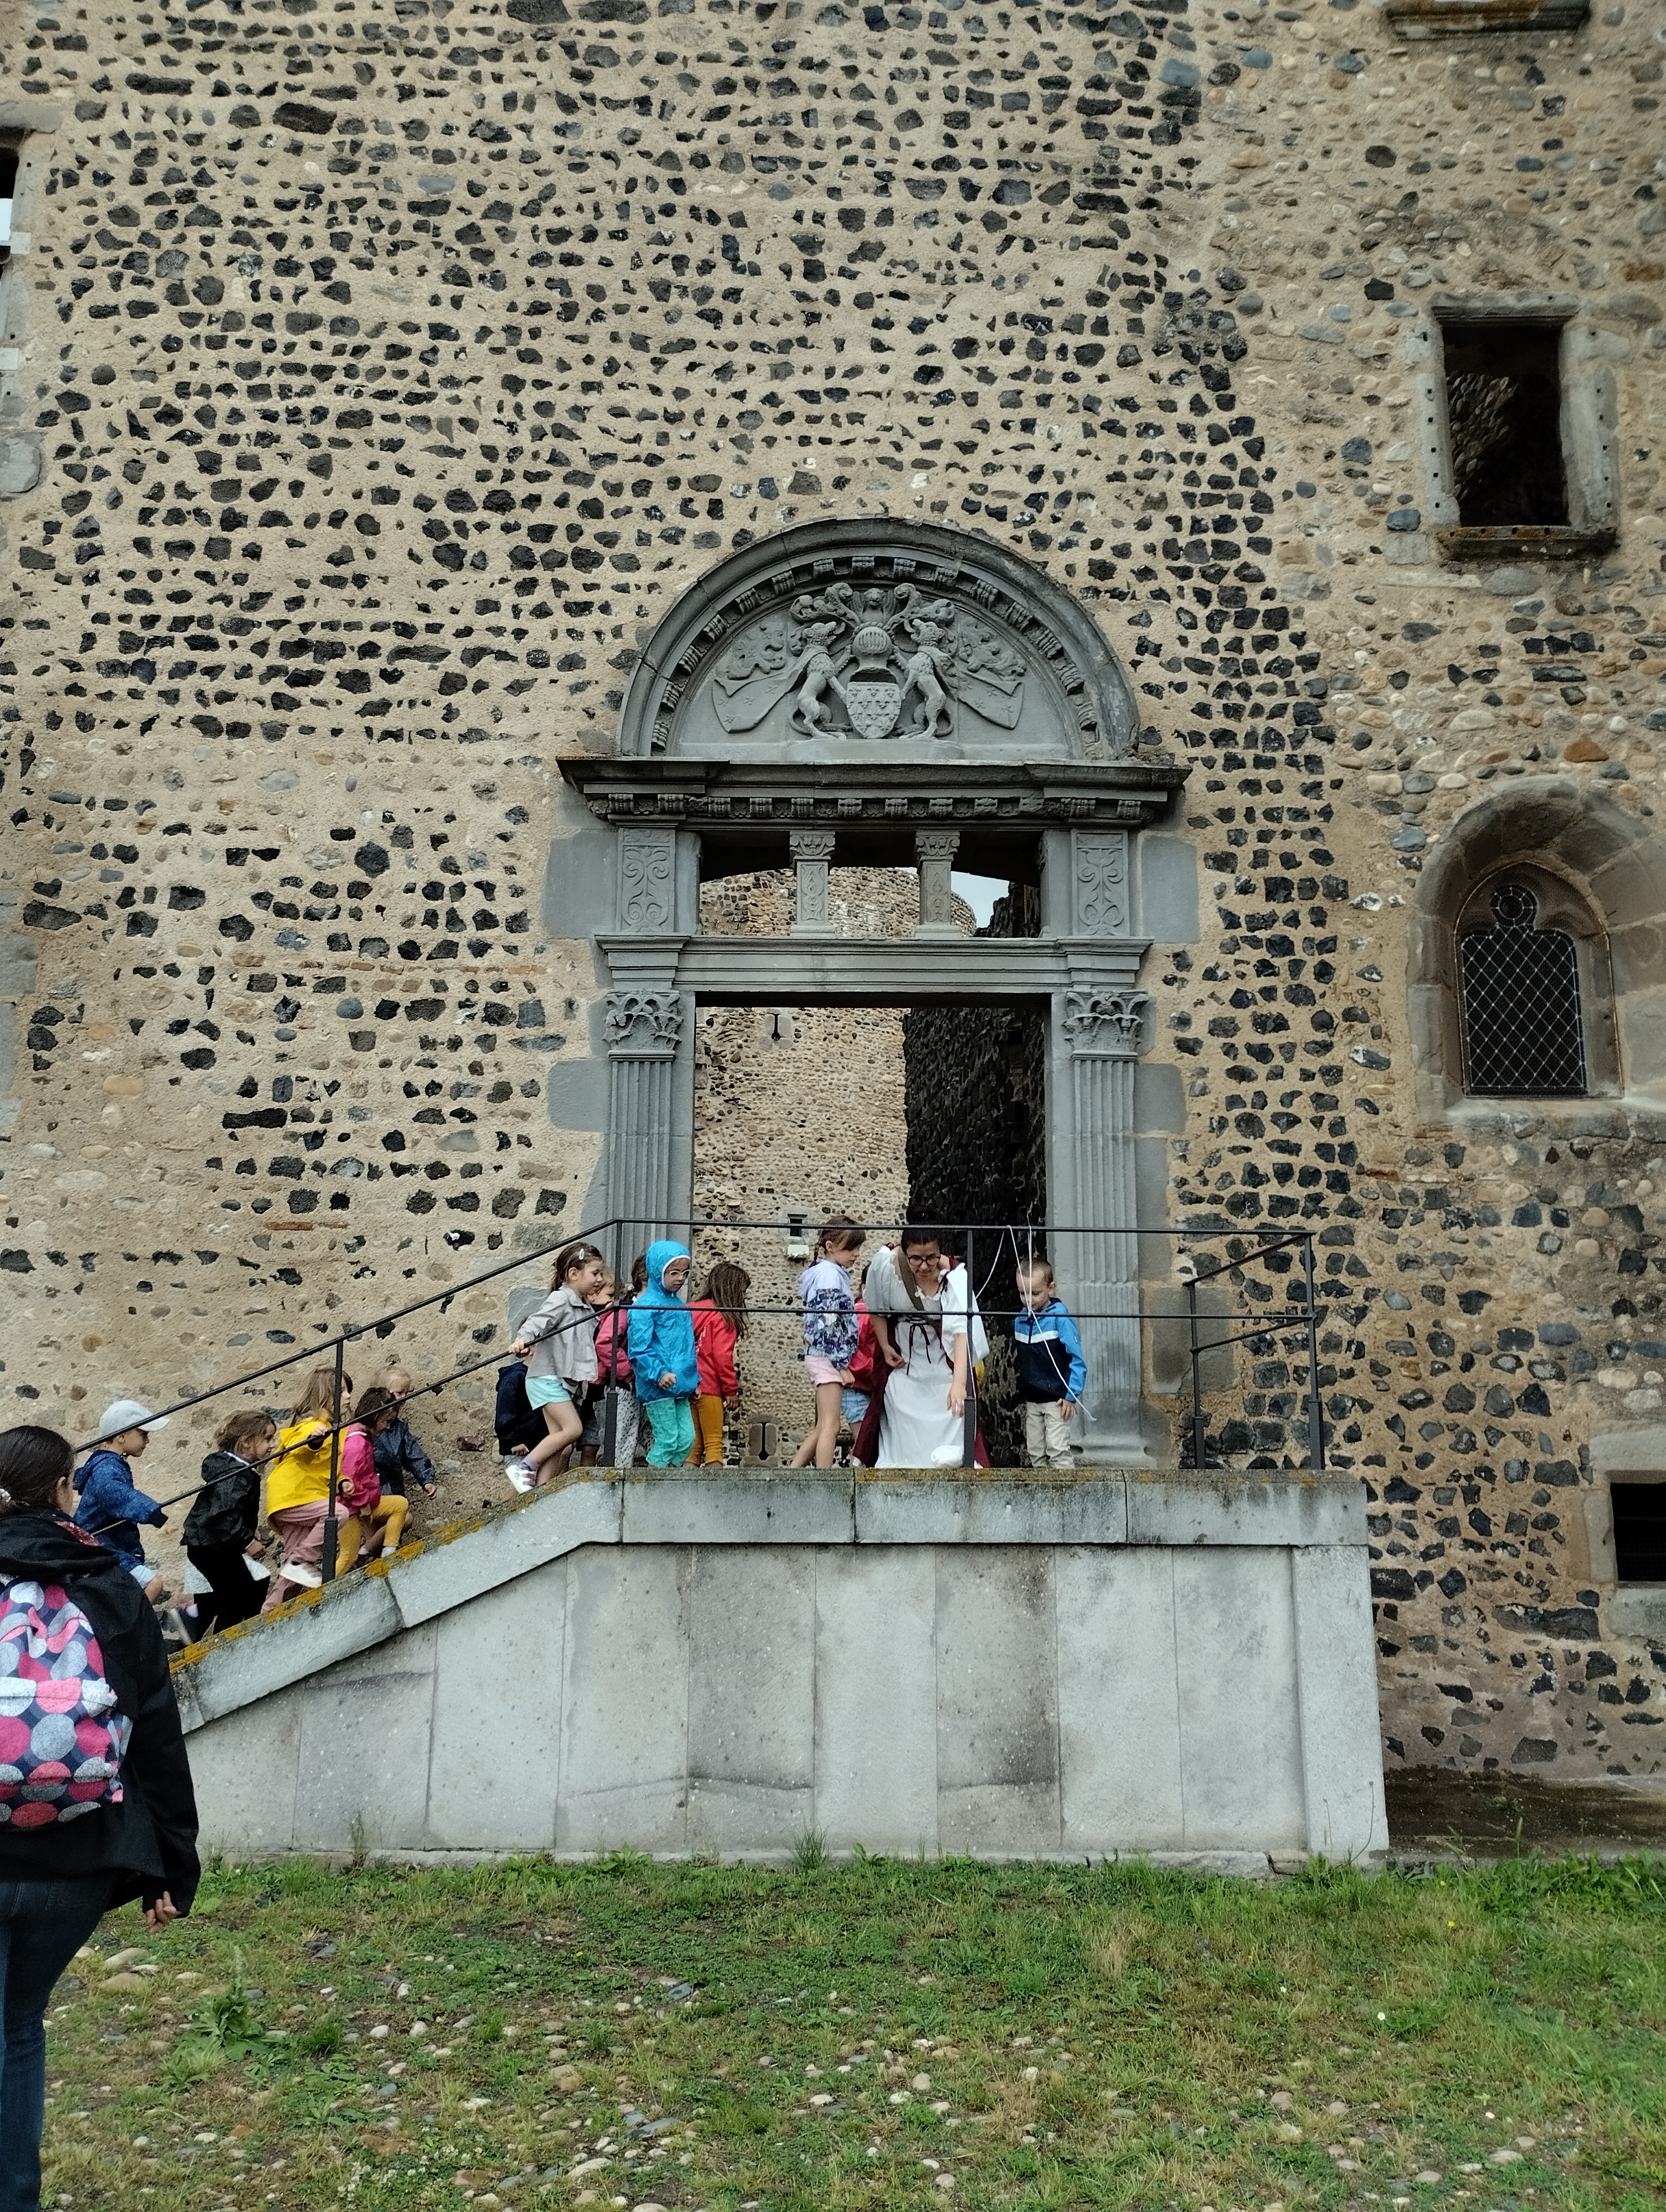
(930, 1337)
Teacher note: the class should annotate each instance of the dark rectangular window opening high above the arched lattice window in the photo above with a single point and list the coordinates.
(1506, 421)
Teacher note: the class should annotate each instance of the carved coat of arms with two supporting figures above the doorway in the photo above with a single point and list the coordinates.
(871, 662)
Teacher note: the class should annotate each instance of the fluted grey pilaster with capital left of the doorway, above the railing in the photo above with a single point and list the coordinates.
(645, 1032)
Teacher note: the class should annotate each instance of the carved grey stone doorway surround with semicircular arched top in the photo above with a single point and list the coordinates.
(851, 698)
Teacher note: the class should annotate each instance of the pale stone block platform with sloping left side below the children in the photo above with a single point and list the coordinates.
(990, 1665)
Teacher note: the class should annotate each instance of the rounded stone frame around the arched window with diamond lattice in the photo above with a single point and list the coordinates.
(1610, 873)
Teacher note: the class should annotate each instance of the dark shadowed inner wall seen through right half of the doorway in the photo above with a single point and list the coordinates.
(977, 1147)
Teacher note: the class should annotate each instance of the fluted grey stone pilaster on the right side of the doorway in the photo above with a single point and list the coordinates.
(1092, 1196)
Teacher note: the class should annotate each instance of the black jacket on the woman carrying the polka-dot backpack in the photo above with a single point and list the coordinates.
(149, 1841)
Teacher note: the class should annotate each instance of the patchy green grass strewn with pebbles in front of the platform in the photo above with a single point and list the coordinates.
(1041, 2038)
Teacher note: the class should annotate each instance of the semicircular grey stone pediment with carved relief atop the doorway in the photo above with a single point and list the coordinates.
(877, 643)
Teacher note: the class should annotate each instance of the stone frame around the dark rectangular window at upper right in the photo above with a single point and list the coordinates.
(1590, 428)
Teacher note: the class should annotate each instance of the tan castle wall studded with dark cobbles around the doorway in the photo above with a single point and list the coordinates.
(377, 377)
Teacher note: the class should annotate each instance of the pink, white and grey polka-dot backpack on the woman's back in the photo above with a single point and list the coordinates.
(61, 1735)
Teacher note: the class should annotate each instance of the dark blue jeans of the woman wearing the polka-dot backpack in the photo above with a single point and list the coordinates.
(43, 1926)
